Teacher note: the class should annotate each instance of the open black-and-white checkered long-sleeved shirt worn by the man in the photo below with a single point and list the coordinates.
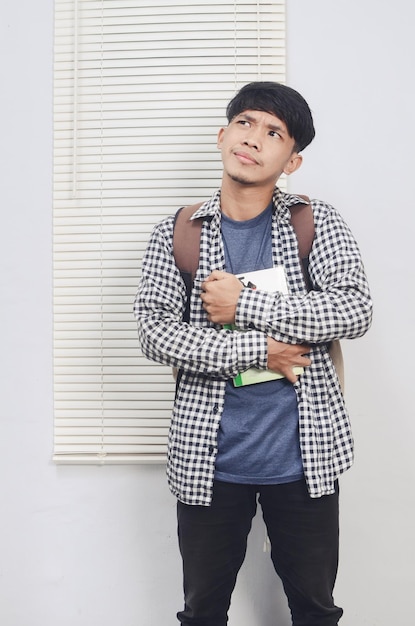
(339, 306)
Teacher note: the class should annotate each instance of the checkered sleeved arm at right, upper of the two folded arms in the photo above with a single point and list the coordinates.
(339, 306)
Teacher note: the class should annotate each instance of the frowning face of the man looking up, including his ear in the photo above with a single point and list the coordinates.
(256, 149)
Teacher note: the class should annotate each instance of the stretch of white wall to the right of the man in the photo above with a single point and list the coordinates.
(354, 60)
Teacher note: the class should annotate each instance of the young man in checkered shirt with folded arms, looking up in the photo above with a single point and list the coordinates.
(284, 442)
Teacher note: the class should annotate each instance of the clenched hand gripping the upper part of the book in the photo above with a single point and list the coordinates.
(220, 294)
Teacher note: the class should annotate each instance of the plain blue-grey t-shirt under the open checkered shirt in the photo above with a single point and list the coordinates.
(258, 439)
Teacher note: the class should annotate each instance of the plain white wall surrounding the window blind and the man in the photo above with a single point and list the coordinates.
(96, 545)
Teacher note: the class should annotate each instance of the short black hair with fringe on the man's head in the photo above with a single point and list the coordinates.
(279, 100)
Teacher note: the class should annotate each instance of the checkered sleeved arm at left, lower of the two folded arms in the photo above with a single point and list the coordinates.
(199, 347)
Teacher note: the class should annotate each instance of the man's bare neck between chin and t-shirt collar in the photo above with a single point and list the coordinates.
(244, 202)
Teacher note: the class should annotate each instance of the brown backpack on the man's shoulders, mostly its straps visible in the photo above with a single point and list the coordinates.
(186, 250)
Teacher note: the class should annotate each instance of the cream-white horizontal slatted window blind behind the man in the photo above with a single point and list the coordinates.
(140, 90)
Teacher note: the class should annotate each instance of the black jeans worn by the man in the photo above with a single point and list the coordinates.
(304, 536)
